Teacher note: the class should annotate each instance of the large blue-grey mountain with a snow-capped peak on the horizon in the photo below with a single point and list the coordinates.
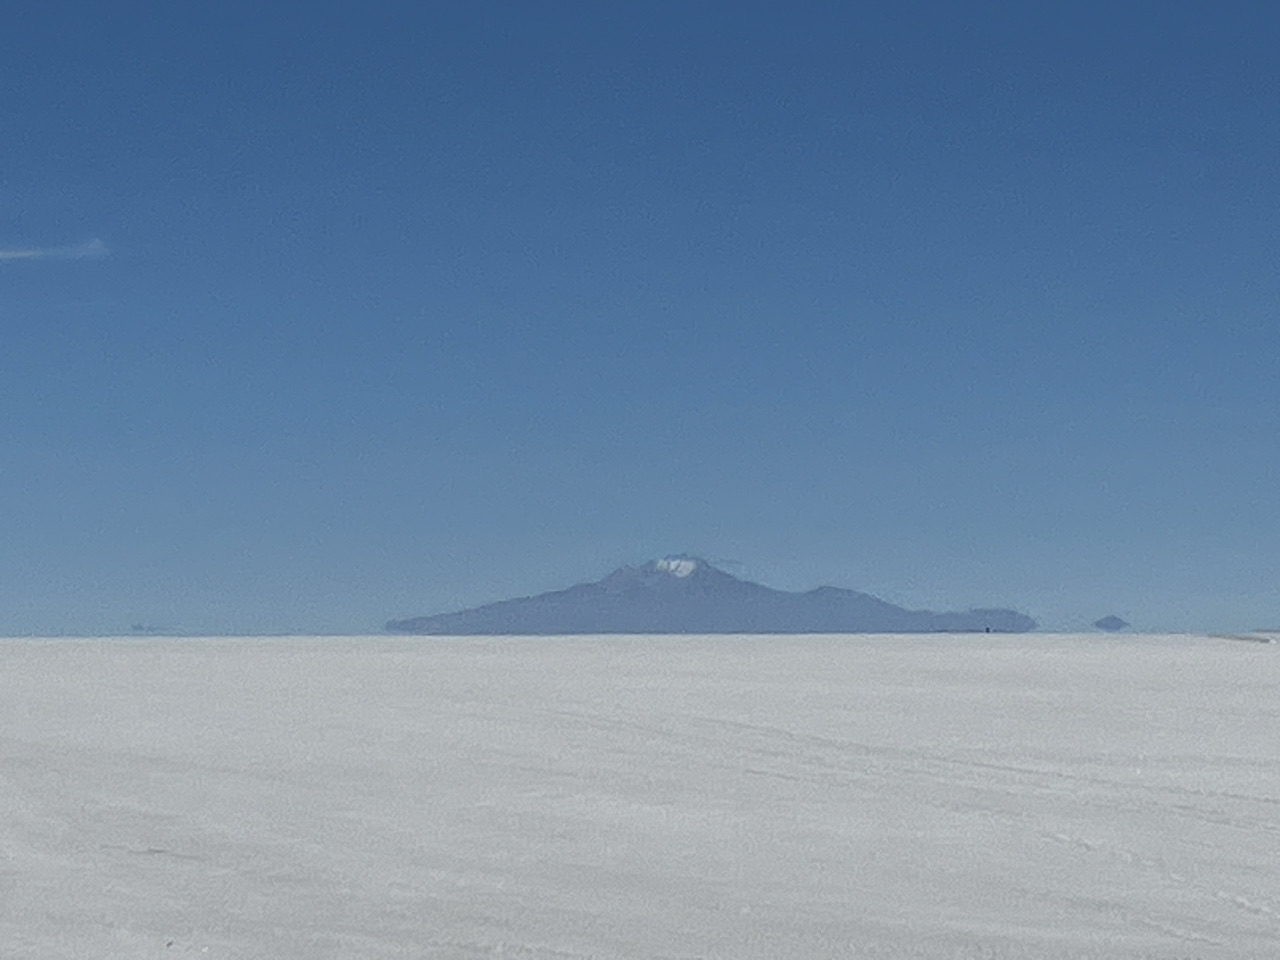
(689, 596)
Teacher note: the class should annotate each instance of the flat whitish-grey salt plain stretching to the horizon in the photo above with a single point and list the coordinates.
(551, 799)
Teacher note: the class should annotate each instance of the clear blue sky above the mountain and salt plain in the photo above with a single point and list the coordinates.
(397, 309)
